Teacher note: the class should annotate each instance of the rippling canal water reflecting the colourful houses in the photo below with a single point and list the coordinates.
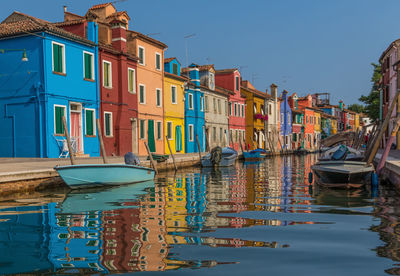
(253, 218)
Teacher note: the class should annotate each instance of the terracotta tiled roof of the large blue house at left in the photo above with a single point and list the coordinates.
(19, 23)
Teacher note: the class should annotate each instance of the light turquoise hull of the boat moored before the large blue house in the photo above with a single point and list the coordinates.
(83, 176)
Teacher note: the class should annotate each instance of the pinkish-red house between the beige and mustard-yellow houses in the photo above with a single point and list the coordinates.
(230, 79)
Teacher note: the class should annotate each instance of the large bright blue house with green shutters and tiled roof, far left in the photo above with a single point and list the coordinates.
(57, 76)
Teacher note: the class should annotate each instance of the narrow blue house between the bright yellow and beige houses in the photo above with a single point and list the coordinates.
(194, 111)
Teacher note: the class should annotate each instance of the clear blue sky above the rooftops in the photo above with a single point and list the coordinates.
(301, 45)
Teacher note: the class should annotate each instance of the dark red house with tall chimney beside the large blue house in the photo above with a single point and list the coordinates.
(118, 97)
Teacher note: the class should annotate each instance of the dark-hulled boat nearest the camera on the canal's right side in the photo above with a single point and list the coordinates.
(342, 174)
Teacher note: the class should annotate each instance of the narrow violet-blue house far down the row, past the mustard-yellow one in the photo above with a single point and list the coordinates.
(286, 121)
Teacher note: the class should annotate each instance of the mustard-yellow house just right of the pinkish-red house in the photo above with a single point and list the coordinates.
(255, 115)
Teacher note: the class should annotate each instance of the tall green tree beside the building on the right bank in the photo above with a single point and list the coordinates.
(371, 101)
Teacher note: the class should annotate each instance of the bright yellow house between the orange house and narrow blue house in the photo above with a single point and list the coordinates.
(174, 106)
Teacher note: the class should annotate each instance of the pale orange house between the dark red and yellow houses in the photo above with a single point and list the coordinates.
(150, 83)
